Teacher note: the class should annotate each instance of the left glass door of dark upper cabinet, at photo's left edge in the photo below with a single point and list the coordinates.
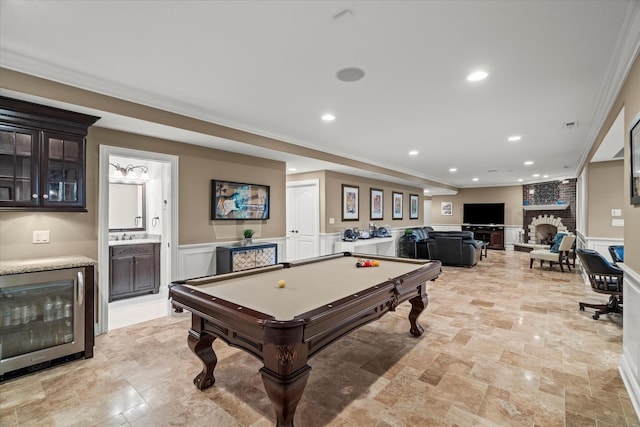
(18, 167)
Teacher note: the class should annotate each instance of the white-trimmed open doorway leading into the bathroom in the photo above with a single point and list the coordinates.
(160, 223)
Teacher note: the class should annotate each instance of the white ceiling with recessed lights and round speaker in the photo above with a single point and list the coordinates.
(269, 67)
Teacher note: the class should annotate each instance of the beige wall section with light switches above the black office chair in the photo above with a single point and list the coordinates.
(605, 193)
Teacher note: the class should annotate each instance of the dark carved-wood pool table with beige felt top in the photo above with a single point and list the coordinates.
(323, 300)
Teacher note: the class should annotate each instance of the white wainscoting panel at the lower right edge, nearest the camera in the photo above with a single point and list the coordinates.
(629, 365)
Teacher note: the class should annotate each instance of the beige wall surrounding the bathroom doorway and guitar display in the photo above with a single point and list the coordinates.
(77, 233)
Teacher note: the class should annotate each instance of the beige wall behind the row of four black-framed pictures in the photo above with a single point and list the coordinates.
(331, 201)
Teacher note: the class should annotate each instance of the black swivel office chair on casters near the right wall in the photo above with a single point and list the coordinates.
(605, 278)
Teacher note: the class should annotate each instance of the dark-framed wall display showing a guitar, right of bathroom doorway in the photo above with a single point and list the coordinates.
(238, 200)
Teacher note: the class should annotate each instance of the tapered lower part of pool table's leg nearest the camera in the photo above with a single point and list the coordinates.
(285, 392)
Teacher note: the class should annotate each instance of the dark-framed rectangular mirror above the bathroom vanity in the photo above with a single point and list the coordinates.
(127, 206)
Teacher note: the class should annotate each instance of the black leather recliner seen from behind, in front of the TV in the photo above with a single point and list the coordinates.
(457, 248)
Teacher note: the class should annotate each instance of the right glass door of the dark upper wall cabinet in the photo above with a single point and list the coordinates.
(64, 169)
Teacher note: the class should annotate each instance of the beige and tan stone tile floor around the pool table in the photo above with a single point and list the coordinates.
(503, 346)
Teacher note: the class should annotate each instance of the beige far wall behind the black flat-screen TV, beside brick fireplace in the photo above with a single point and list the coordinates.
(510, 196)
